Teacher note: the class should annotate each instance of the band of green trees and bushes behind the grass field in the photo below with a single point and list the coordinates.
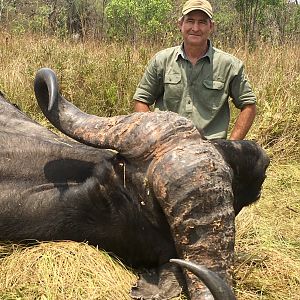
(247, 21)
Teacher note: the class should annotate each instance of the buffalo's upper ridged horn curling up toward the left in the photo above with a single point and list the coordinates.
(126, 134)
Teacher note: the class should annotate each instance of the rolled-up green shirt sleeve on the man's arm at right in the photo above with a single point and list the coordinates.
(240, 89)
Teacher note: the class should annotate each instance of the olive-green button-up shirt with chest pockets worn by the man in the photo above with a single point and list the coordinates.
(199, 92)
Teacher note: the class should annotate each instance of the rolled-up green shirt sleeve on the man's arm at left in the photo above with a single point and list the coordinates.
(150, 88)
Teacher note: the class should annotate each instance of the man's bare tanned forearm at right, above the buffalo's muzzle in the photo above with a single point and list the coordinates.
(243, 122)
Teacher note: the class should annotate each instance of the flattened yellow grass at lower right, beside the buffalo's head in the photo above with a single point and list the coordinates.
(268, 240)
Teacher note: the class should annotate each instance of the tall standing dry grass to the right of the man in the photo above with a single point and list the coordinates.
(274, 72)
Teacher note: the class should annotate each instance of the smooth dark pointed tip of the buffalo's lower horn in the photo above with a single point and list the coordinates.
(219, 289)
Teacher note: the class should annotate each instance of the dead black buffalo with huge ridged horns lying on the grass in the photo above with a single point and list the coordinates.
(146, 187)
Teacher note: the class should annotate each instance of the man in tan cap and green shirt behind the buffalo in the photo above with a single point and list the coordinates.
(196, 80)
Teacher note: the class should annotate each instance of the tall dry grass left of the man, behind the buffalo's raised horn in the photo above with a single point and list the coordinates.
(98, 77)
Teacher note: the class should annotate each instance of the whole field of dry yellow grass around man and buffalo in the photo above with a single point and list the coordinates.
(101, 78)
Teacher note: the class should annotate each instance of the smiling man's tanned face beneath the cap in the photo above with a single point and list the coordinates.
(196, 28)
